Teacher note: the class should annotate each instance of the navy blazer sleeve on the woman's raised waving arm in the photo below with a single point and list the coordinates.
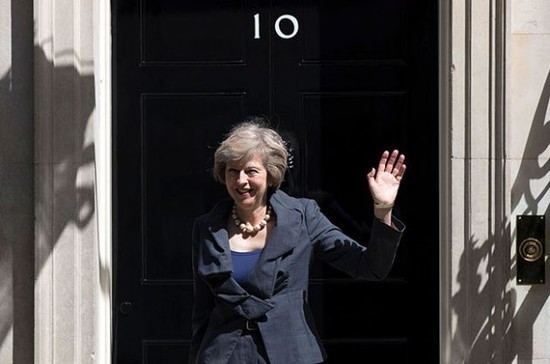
(342, 252)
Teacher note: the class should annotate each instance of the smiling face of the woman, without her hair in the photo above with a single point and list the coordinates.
(247, 182)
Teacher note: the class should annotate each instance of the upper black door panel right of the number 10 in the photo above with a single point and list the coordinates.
(354, 30)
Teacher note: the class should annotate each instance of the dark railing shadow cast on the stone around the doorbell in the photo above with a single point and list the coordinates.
(494, 329)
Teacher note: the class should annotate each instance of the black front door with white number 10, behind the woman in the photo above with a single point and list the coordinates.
(342, 81)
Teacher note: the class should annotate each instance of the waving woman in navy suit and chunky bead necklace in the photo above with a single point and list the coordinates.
(251, 254)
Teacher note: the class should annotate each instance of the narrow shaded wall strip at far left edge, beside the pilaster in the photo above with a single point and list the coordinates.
(16, 201)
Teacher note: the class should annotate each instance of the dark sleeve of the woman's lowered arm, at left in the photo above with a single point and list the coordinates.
(203, 301)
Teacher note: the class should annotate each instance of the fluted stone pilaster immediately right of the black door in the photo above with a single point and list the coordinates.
(476, 240)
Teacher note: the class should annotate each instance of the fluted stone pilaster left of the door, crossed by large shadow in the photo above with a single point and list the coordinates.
(65, 212)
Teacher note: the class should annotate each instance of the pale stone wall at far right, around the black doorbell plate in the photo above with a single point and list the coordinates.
(529, 162)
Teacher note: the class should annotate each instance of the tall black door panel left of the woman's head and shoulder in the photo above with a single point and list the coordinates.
(171, 124)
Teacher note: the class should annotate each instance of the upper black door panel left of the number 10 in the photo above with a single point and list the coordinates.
(183, 32)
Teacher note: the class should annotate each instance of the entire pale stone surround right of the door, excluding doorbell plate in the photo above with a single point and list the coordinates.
(498, 168)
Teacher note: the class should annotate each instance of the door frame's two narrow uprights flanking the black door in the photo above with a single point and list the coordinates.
(105, 168)
